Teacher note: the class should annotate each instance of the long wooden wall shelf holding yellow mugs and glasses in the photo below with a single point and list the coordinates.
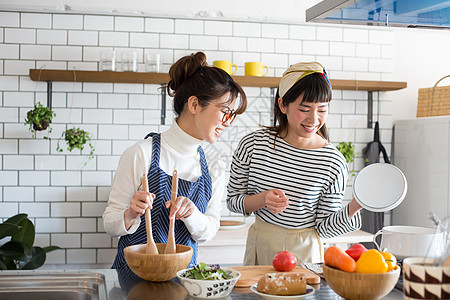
(161, 78)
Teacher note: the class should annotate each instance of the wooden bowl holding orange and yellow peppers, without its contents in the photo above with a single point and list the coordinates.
(360, 286)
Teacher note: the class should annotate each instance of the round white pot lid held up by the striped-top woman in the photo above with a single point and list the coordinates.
(380, 187)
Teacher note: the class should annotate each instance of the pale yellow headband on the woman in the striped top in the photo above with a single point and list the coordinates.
(296, 72)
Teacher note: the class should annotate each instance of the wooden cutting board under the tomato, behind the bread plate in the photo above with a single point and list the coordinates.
(251, 274)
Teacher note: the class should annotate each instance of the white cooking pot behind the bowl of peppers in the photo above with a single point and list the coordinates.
(408, 241)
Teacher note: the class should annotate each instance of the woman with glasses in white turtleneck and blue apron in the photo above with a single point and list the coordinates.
(205, 104)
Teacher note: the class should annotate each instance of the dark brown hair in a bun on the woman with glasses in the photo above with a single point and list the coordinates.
(191, 76)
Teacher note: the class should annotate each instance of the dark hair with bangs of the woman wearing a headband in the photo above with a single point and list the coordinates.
(314, 88)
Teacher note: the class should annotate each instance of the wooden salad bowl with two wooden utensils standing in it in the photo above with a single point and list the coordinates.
(157, 267)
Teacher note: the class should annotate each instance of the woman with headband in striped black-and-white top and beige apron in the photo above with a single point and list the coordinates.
(290, 175)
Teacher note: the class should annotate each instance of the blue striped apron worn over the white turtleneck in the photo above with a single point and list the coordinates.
(160, 183)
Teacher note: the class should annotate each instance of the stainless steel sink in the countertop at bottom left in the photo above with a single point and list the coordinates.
(38, 286)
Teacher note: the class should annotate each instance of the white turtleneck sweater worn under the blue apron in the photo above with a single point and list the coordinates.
(178, 151)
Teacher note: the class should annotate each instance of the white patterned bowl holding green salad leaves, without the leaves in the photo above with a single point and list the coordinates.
(209, 288)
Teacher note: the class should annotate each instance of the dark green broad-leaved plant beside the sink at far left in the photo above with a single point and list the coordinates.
(19, 253)
